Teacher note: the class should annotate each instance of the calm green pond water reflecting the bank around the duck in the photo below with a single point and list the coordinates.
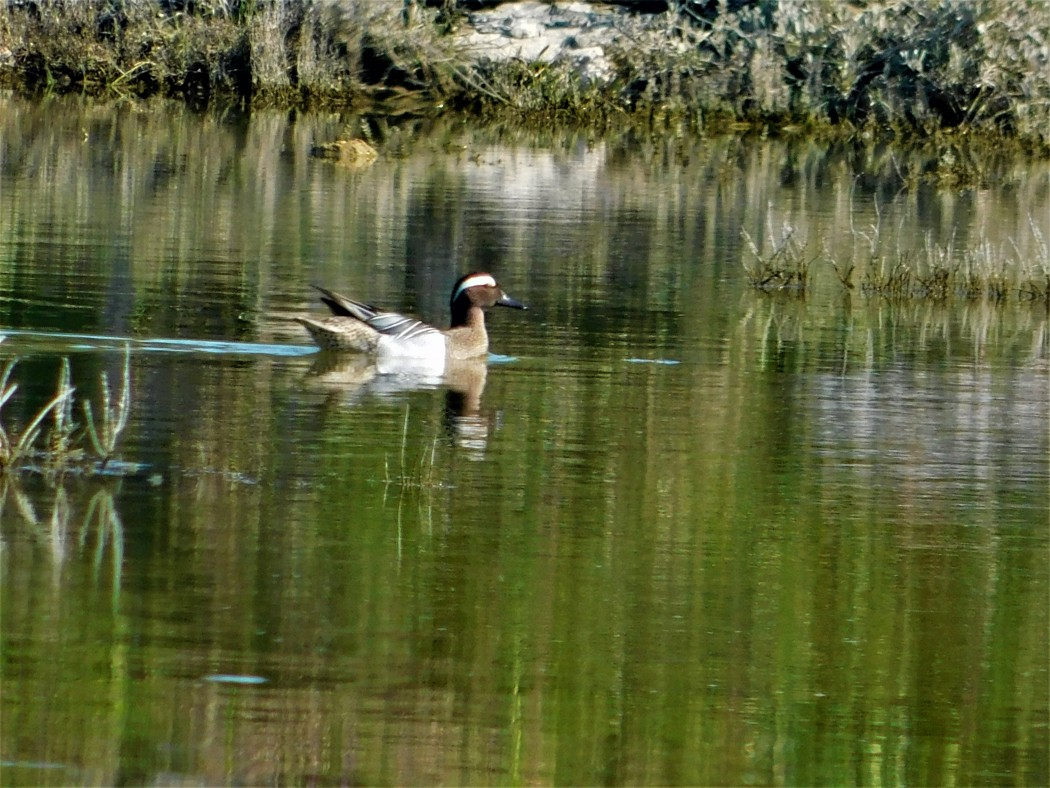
(675, 532)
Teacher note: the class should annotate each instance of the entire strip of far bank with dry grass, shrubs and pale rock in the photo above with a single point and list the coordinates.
(887, 70)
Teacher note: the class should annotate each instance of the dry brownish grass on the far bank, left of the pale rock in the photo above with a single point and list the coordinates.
(283, 51)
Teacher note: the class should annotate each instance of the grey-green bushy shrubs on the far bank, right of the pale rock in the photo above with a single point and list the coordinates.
(905, 69)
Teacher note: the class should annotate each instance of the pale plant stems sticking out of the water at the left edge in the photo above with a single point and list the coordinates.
(60, 449)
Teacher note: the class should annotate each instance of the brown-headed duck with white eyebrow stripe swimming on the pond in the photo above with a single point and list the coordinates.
(395, 341)
